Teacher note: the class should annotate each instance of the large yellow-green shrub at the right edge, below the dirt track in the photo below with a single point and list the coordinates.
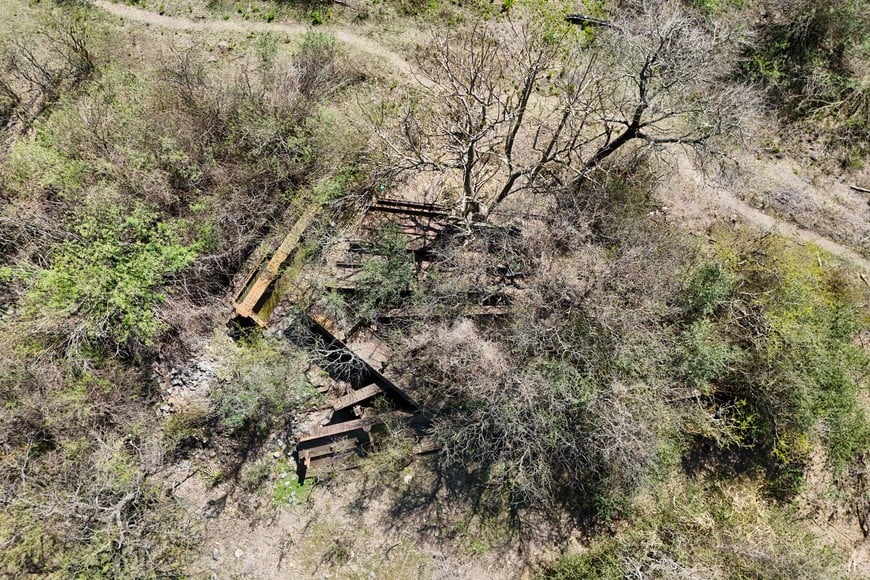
(780, 362)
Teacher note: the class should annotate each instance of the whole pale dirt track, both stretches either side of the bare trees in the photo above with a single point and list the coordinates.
(717, 198)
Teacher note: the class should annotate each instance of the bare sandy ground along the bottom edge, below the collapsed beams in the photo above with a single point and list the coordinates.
(355, 525)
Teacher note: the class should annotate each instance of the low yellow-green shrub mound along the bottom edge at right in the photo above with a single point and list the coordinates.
(710, 529)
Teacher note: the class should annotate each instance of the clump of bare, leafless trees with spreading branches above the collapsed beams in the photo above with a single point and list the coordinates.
(527, 108)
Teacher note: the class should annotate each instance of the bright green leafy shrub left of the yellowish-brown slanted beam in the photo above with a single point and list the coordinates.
(110, 274)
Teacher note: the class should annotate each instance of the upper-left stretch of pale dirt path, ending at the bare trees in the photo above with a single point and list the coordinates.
(391, 60)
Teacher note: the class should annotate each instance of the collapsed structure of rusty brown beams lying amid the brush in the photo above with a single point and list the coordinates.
(344, 425)
